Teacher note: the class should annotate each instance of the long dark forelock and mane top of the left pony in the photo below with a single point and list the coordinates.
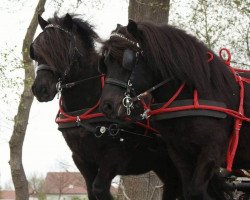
(53, 45)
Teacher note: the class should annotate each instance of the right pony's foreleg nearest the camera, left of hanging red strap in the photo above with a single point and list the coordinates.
(208, 161)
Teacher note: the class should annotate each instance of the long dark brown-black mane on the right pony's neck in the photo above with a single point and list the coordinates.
(173, 52)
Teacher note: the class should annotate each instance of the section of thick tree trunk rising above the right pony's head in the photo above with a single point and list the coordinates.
(156, 11)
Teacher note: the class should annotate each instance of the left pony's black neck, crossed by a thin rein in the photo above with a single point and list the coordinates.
(84, 95)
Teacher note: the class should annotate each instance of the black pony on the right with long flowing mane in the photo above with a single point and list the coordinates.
(169, 59)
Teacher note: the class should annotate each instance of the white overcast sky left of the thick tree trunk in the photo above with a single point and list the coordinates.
(44, 147)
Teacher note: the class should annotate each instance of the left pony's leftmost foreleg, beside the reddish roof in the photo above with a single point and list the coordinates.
(89, 173)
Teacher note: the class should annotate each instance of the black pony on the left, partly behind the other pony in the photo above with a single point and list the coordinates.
(65, 53)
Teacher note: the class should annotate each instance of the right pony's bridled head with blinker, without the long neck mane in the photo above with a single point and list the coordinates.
(122, 59)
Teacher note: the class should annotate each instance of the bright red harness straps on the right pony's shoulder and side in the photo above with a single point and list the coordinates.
(238, 115)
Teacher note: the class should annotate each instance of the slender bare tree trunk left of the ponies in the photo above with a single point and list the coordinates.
(22, 116)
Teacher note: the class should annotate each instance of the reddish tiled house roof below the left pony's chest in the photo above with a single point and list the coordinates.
(64, 183)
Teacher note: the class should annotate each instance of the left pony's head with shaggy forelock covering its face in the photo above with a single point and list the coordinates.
(61, 51)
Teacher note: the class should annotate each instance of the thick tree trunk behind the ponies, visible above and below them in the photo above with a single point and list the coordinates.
(147, 186)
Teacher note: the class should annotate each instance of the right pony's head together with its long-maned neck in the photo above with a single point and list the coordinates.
(149, 55)
